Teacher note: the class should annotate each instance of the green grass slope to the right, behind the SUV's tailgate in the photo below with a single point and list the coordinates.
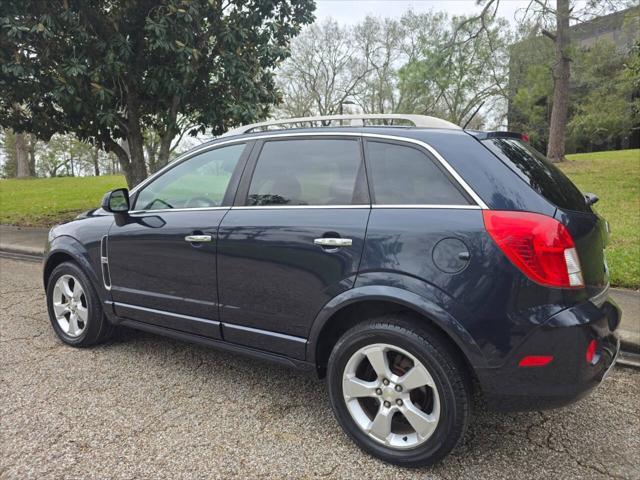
(615, 178)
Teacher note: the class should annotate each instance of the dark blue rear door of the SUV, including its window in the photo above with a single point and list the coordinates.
(293, 239)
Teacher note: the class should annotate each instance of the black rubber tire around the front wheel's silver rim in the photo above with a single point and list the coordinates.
(98, 328)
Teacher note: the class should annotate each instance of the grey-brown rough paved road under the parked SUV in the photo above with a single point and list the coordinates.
(147, 407)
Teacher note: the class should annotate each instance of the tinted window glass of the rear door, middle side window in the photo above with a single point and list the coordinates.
(309, 172)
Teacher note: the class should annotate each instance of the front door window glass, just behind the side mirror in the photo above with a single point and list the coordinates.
(199, 182)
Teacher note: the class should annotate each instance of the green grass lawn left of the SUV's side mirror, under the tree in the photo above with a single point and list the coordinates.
(42, 202)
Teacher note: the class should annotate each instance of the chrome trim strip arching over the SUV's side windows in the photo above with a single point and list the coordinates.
(480, 203)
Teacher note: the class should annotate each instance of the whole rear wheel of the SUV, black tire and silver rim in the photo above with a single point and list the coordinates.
(398, 392)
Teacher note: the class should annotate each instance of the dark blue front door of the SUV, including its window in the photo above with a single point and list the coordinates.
(162, 254)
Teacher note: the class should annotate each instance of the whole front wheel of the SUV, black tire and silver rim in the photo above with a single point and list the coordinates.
(74, 307)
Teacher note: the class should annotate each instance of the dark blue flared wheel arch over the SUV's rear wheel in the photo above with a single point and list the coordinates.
(359, 304)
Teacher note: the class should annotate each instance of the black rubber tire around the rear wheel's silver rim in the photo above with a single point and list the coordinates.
(447, 371)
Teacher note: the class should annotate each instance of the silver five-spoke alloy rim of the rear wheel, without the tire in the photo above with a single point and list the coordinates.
(395, 402)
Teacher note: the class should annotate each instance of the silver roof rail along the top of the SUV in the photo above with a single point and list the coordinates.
(422, 121)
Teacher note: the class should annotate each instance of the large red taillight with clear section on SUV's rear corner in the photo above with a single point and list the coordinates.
(540, 246)
